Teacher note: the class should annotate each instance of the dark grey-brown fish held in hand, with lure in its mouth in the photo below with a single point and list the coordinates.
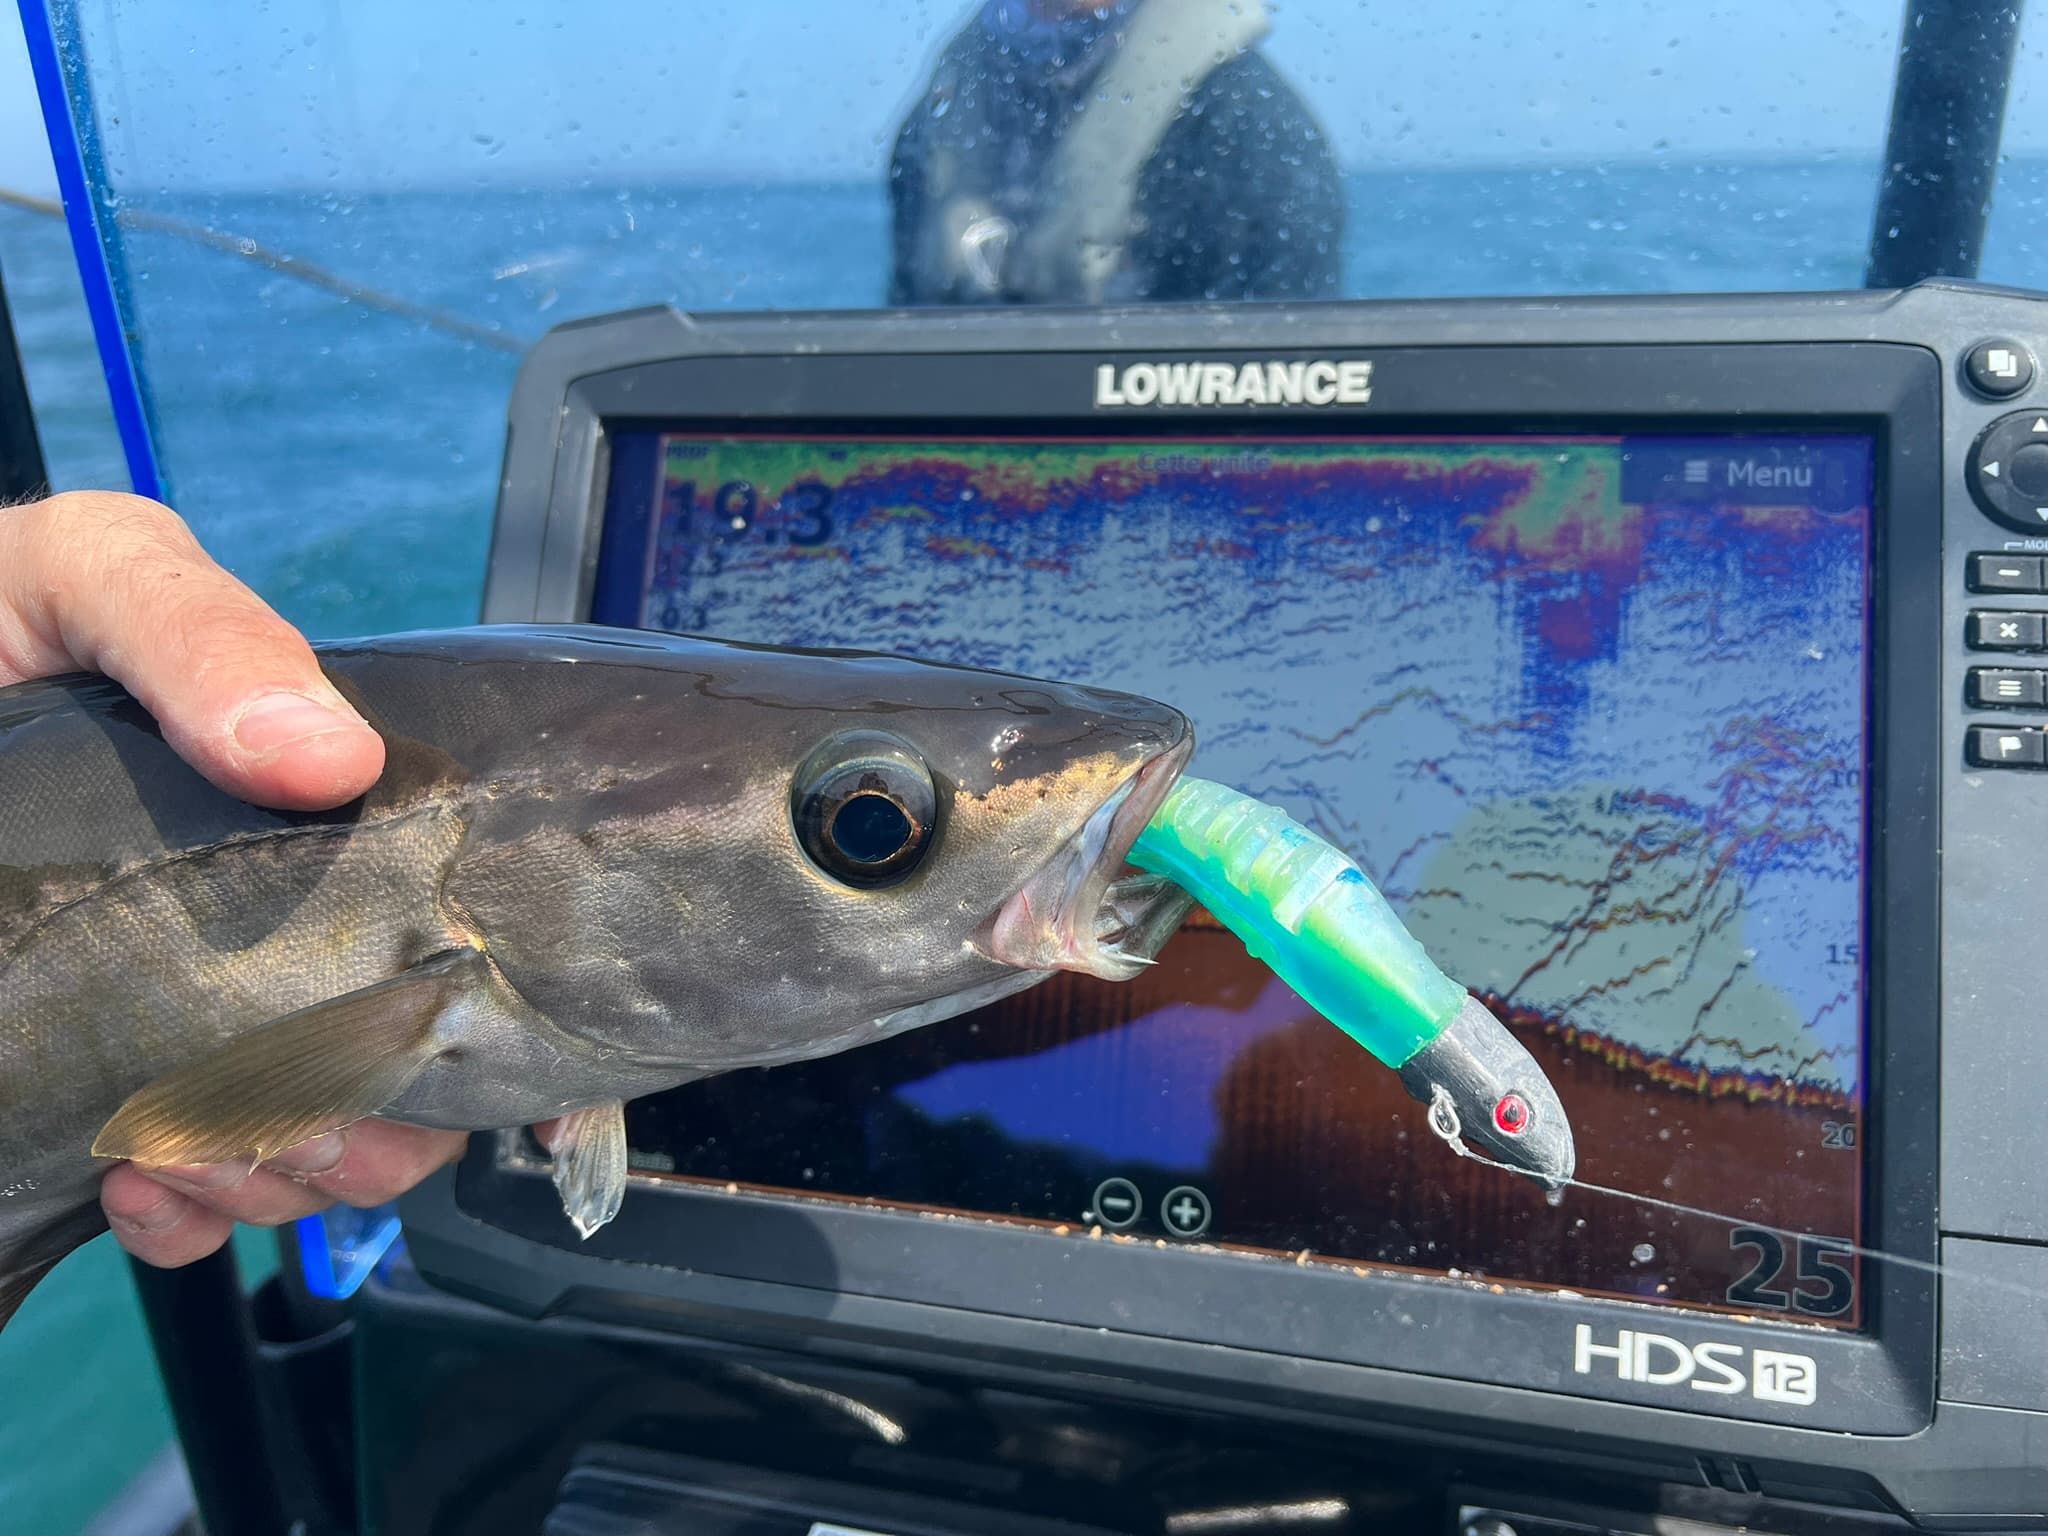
(597, 865)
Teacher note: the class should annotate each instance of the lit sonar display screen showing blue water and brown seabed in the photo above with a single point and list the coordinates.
(1592, 712)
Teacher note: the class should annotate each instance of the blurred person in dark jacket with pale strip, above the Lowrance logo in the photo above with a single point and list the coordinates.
(1113, 151)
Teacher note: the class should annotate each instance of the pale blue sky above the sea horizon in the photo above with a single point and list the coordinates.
(413, 93)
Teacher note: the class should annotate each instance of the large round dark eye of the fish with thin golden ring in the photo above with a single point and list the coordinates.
(863, 806)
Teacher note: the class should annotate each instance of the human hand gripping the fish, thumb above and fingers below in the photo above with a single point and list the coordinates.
(118, 585)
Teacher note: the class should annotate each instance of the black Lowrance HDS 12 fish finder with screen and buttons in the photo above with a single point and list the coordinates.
(1676, 667)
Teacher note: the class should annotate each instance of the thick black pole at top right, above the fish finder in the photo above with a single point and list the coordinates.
(1943, 153)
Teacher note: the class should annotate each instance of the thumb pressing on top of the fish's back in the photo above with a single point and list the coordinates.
(118, 585)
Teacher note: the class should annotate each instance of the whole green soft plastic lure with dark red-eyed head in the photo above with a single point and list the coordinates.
(1324, 929)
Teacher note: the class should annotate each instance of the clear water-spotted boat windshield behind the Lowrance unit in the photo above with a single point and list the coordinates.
(331, 232)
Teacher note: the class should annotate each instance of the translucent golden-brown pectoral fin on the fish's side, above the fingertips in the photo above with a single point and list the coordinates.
(296, 1078)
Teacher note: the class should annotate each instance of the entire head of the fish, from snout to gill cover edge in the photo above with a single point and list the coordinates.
(765, 855)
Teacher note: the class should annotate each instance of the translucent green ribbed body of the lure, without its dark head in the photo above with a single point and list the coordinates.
(1308, 912)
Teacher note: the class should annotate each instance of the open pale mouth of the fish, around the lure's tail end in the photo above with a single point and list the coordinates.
(1089, 908)
